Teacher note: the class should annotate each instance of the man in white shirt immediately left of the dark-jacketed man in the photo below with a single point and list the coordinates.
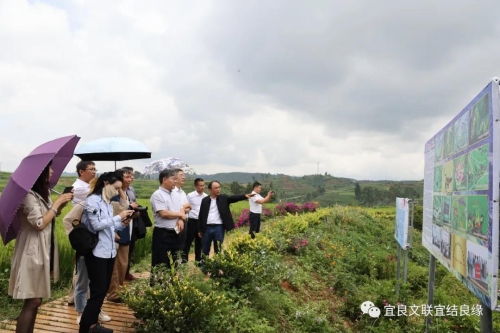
(193, 233)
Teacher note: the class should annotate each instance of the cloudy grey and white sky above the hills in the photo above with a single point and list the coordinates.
(258, 86)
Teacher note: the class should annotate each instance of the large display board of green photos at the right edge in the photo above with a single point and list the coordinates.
(461, 185)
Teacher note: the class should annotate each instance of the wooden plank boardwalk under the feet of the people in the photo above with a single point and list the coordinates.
(58, 316)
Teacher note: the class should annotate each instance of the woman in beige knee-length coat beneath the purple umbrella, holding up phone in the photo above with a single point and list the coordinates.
(35, 257)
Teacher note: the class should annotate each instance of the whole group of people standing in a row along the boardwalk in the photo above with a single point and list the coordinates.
(107, 207)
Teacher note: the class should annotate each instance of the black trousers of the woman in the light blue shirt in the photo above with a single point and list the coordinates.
(100, 271)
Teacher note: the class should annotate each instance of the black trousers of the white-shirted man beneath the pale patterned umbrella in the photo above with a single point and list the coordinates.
(165, 246)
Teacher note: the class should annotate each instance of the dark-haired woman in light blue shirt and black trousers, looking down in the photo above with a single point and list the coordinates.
(100, 219)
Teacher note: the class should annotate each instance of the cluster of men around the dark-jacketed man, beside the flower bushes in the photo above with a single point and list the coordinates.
(181, 219)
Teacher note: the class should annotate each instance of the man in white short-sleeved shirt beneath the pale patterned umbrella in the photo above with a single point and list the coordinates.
(169, 218)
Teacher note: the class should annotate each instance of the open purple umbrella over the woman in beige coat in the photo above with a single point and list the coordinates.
(60, 151)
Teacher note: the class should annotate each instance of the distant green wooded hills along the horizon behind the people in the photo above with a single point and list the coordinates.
(325, 189)
